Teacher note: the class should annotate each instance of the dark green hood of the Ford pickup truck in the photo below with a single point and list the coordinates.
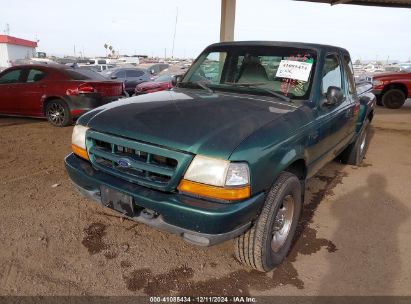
(194, 121)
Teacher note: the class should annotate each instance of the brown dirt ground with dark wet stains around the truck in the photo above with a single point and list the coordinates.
(354, 240)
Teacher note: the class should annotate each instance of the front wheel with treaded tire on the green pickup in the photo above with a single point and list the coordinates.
(269, 240)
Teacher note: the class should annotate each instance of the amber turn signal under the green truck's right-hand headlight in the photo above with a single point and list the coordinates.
(229, 194)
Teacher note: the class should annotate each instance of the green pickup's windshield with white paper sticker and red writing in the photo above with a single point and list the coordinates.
(255, 69)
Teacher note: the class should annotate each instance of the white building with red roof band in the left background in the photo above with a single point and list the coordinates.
(12, 48)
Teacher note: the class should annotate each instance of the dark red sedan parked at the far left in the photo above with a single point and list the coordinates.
(59, 93)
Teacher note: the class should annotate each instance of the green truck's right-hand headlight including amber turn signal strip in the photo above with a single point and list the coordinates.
(215, 178)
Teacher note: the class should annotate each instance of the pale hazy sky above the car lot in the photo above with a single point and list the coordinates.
(147, 27)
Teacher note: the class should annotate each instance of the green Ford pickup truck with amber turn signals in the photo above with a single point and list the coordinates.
(226, 153)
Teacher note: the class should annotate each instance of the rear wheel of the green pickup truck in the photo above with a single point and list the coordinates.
(355, 152)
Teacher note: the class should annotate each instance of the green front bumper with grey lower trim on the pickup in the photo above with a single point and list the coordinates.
(196, 220)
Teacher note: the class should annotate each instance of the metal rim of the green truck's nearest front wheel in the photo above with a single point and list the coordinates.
(282, 223)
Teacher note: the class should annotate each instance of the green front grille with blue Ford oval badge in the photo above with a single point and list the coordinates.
(137, 162)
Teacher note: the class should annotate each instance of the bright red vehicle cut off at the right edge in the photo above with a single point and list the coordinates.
(392, 89)
